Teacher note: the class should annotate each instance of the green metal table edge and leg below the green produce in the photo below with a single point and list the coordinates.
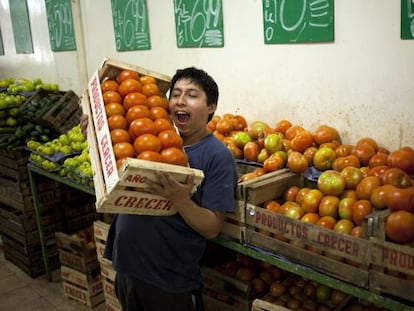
(33, 170)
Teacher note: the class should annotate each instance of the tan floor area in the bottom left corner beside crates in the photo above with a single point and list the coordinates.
(19, 292)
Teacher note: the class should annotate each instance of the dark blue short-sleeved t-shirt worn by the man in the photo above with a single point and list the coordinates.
(164, 250)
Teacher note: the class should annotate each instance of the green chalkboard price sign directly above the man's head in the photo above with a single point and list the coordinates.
(199, 23)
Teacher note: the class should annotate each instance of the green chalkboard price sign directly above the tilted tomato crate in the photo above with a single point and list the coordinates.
(130, 20)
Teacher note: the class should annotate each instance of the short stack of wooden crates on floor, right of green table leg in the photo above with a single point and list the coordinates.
(80, 269)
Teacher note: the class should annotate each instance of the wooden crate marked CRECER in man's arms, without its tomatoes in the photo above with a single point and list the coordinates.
(122, 191)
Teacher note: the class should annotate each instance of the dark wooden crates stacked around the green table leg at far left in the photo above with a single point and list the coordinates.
(18, 224)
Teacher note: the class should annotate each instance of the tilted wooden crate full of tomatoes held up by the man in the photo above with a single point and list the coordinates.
(130, 136)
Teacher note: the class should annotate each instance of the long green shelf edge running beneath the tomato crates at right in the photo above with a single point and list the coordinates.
(287, 265)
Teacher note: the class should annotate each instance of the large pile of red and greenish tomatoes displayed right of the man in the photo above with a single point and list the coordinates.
(355, 179)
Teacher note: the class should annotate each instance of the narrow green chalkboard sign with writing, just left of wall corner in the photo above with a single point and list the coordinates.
(60, 23)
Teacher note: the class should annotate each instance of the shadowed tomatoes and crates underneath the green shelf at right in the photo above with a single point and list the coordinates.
(274, 285)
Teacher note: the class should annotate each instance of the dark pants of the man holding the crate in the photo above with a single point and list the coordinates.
(136, 295)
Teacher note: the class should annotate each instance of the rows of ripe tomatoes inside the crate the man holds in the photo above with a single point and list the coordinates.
(138, 120)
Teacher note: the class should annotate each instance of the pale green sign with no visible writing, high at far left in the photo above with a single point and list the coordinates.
(21, 26)
